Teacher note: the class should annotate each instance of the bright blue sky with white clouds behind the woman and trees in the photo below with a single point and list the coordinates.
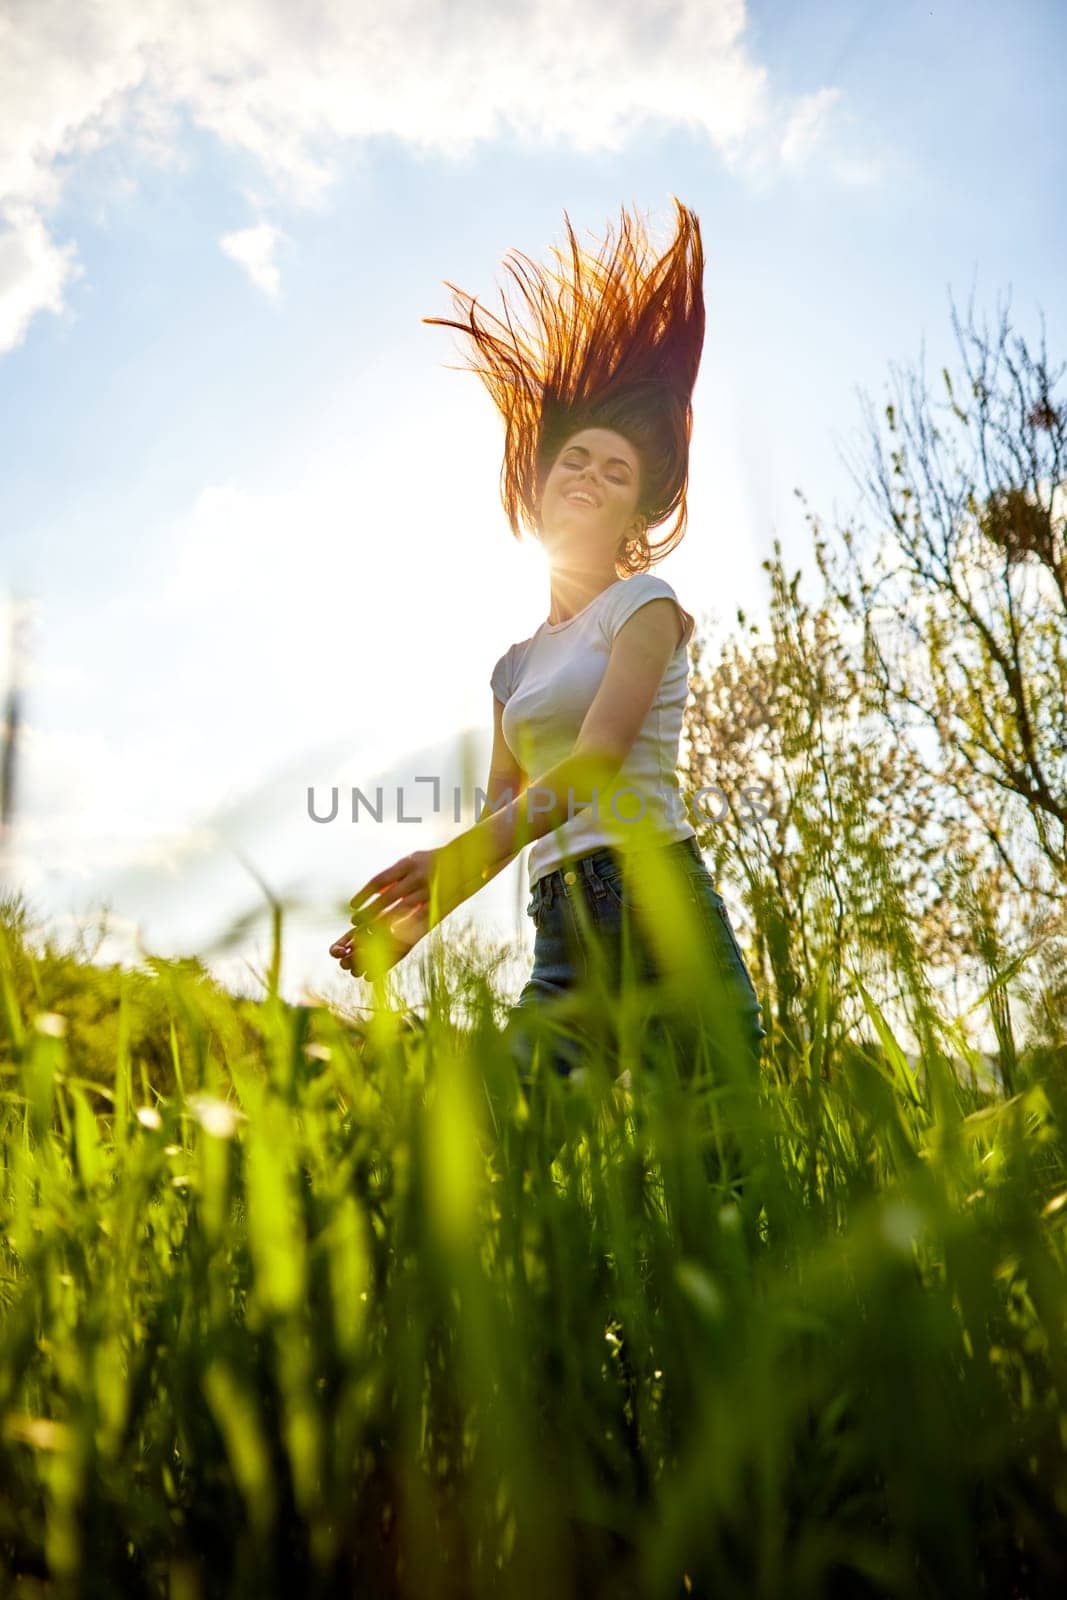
(250, 522)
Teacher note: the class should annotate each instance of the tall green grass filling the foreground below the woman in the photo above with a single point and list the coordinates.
(305, 1305)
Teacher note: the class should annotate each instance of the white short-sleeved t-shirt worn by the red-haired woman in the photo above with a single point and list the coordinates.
(548, 684)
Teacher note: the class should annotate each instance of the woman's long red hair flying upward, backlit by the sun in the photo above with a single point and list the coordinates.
(617, 343)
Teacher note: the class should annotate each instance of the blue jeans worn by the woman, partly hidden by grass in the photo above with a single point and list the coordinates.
(601, 935)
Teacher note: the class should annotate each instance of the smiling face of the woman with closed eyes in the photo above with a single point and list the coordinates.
(591, 497)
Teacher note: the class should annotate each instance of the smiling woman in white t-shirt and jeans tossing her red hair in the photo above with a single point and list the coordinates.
(588, 711)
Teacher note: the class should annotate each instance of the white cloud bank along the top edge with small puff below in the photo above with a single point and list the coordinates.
(294, 86)
